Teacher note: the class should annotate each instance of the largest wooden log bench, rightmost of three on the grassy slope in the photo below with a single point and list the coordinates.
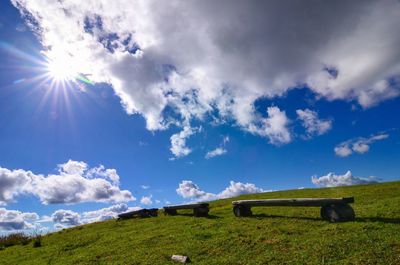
(332, 209)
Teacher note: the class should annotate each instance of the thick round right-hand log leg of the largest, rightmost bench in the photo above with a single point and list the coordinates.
(337, 213)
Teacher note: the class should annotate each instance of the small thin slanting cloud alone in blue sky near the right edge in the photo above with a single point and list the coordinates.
(358, 145)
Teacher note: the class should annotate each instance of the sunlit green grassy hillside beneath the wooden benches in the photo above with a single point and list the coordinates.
(274, 235)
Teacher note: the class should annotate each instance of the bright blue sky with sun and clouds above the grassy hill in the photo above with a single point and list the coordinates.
(111, 106)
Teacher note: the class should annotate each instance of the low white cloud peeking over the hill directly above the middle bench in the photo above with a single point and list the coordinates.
(189, 190)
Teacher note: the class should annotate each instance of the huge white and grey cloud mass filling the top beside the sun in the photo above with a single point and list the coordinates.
(174, 61)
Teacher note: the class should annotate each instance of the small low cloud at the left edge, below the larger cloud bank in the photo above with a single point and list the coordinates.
(16, 220)
